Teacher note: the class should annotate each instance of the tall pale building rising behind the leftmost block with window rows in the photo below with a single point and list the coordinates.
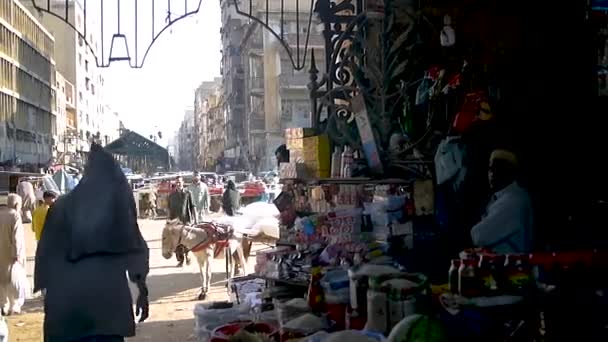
(76, 62)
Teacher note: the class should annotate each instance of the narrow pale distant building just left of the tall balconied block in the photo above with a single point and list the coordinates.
(201, 119)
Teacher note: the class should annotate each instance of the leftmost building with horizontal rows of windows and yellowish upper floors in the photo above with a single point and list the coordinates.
(27, 86)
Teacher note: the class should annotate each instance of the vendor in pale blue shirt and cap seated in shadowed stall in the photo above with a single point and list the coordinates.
(507, 225)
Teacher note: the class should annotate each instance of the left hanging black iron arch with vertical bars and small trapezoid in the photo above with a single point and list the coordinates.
(172, 14)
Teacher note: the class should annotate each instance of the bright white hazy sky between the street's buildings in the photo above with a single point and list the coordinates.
(154, 97)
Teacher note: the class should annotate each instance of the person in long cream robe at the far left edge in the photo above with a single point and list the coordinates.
(12, 250)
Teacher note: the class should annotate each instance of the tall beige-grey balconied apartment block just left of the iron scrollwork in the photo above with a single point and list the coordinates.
(275, 95)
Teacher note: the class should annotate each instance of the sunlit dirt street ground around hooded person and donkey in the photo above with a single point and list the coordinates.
(173, 293)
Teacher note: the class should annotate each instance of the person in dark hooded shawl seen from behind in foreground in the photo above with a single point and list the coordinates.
(90, 242)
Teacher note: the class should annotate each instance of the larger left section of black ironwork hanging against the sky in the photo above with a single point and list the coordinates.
(118, 42)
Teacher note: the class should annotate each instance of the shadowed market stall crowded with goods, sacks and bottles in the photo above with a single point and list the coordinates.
(383, 194)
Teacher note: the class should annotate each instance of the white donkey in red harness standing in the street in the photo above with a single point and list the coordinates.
(201, 243)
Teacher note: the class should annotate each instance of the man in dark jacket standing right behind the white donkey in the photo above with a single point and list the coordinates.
(181, 207)
